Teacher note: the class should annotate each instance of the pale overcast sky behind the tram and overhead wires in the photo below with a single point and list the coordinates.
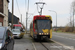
(61, 7)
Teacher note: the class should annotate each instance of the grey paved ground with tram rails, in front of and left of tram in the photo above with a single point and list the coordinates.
(28, 43)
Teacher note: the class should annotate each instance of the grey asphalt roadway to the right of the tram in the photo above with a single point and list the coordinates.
(64, 38)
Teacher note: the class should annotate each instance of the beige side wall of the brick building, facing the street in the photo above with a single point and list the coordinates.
(5, 8)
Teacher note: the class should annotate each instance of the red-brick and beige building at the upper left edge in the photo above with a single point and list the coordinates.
(4, 12)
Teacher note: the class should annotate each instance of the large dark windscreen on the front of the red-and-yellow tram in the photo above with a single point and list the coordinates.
(43, 24)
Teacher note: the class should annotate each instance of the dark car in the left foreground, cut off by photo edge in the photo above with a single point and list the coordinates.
(6, 39)
